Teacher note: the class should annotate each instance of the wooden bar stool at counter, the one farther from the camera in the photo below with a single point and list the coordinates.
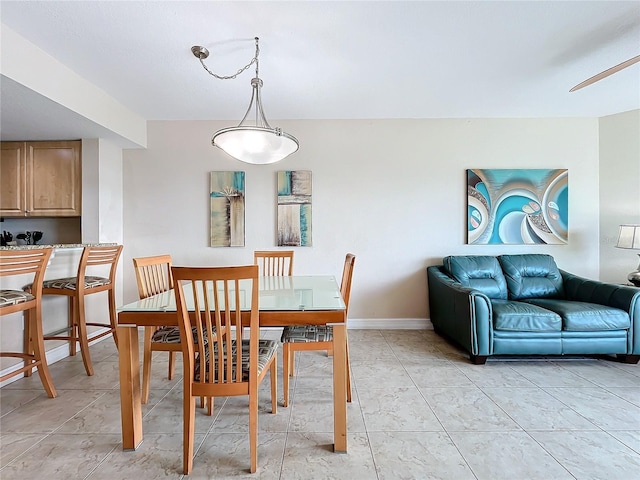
(76, 289)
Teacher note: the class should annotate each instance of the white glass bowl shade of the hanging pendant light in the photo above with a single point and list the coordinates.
(257, 145)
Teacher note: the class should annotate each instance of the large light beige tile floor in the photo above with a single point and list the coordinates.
(420, 411)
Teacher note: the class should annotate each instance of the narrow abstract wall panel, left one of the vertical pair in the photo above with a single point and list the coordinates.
(226, 194)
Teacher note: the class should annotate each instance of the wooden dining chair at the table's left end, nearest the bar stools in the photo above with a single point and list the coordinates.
(153, 275)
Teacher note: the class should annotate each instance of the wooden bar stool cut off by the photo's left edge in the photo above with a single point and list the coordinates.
(32, 263)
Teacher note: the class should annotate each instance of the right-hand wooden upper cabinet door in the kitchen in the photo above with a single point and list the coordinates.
(54, 179)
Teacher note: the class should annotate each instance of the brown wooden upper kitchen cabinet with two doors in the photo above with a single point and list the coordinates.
(41, 179)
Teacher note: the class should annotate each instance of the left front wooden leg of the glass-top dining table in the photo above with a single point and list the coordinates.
(130, 400)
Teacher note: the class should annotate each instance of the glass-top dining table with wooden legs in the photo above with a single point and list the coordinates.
(283, 301)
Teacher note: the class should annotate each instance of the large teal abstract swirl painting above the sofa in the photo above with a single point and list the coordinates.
(517, 207)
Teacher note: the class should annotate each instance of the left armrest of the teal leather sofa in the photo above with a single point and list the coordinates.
(460, 313)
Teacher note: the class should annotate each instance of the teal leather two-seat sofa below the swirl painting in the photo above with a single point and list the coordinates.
(524, 304)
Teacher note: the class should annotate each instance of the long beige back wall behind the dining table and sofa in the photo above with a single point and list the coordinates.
(391, 191)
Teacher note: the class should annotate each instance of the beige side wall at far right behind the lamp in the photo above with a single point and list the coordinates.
(619, 191)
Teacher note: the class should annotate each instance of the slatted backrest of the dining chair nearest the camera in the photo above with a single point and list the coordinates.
(219, 294)
